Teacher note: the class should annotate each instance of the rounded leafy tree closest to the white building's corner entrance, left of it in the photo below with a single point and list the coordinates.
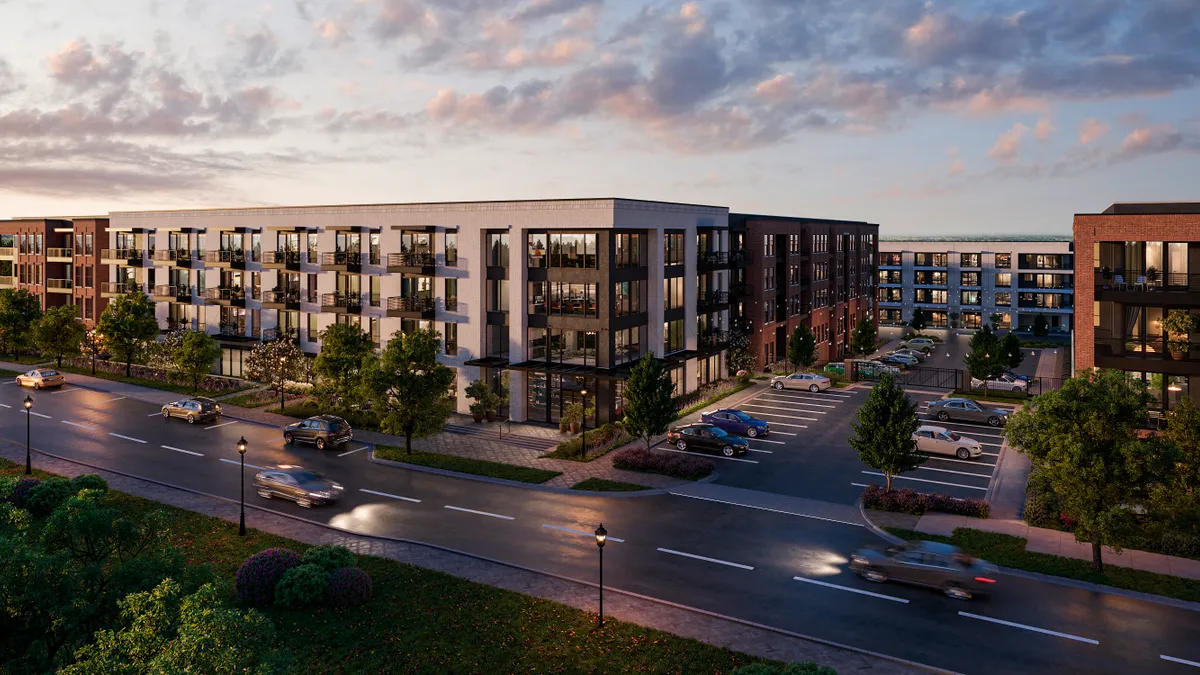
(410, 391)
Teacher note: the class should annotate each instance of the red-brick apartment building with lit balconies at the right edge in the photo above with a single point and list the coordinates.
(1136, 265)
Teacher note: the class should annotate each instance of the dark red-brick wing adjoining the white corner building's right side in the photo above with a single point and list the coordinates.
(790, 272)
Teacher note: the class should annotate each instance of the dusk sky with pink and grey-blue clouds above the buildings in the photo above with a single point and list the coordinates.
(963, 118)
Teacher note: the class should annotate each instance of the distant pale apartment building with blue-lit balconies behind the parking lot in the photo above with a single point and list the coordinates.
(964, 284)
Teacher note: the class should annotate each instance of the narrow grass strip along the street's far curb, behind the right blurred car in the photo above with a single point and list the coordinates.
(1010, 552)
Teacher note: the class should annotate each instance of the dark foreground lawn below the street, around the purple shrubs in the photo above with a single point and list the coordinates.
(427, 622)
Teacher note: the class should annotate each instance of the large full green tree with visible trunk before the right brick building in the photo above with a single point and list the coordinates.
(1084, 438)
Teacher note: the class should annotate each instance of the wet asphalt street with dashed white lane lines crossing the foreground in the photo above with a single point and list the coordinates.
(773, 569)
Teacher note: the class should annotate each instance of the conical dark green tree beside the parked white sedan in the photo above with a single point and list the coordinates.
(884, 432)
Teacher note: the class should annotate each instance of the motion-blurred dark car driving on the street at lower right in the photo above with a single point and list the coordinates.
(928, 564)
